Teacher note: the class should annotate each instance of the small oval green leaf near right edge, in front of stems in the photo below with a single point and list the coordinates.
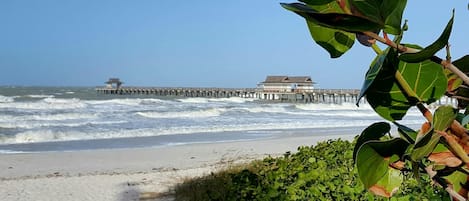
(444, 117)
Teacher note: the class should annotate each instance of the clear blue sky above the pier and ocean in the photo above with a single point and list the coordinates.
(208, 43)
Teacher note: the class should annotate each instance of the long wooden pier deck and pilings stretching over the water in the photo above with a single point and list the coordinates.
(335, 96)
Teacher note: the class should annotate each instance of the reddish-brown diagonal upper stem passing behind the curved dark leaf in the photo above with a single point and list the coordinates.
(401, 48)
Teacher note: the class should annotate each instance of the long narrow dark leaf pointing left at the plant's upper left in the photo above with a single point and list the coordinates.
(341, 21)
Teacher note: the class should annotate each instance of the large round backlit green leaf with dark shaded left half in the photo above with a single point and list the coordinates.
(386, 96)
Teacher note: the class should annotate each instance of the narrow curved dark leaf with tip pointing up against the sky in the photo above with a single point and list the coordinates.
(429, 51)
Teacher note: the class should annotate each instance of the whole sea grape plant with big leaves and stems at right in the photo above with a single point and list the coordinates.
(400, 77)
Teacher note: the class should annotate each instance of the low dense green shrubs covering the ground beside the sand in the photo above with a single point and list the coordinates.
(321, 172)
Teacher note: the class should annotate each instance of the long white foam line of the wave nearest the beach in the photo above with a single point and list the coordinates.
(47, 135)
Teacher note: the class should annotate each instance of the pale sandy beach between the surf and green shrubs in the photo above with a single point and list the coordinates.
(126, 174)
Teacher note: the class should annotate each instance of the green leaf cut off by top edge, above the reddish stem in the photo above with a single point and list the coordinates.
(387, 12)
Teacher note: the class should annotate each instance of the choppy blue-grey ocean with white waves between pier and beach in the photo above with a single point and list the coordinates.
(38, 119)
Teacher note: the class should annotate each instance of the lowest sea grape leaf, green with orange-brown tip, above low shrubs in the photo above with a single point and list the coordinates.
(373, 159)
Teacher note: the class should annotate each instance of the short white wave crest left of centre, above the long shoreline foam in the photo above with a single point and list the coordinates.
(213, 112)
